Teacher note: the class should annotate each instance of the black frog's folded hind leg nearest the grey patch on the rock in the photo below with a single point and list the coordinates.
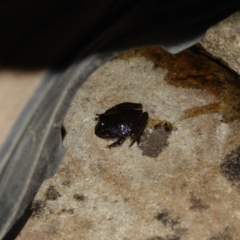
(138, 128)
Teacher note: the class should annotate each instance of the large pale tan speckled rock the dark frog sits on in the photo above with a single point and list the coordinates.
(181, 183)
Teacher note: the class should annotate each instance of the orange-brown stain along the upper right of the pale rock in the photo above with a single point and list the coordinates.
(192, 69)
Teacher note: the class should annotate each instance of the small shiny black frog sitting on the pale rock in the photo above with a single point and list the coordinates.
(123, 120)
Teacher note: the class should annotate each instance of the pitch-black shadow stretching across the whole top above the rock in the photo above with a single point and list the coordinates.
(40, 34)
